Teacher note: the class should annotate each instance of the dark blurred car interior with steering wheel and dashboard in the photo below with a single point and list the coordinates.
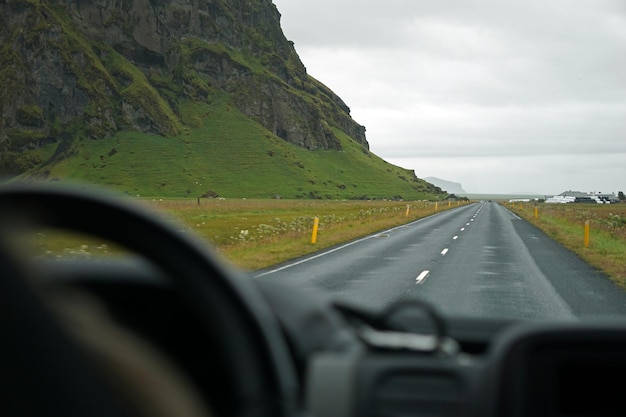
(174, 330)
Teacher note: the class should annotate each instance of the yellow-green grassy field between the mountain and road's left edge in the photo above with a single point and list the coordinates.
(258, 233)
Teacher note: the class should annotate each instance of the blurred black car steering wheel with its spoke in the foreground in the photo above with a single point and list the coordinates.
(261, 375)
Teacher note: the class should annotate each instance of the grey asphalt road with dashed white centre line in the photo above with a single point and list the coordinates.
(478, 260)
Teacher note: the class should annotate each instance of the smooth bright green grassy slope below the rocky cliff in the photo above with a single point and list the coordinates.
(223, 152)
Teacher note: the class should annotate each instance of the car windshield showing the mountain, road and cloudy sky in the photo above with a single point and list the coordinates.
(470, 154)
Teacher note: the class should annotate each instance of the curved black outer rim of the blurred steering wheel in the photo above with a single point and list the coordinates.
(251, 344)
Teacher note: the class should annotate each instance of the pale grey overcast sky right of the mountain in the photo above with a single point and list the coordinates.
(501, 96)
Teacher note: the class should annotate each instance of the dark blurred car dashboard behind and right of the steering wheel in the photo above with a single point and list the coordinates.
(479, 367)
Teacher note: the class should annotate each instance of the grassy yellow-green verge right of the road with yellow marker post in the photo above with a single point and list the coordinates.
(565, 223)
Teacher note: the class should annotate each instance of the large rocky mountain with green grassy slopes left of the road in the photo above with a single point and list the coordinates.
(133, 94)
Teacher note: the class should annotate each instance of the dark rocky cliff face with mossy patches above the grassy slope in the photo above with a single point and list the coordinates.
(91, 68)
